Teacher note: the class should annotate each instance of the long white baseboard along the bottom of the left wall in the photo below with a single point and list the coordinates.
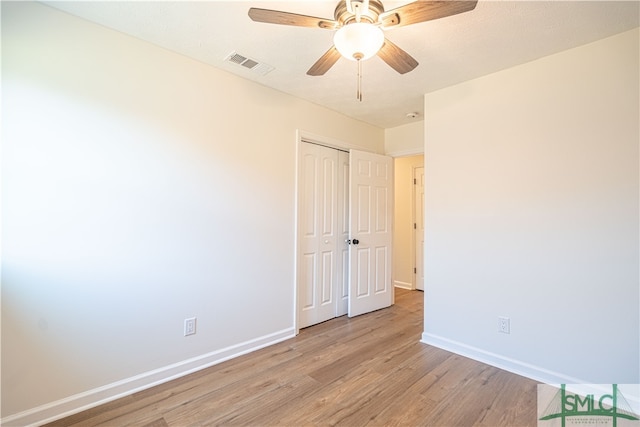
(80, 402)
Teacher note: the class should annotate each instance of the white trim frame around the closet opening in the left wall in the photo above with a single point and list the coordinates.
(304, 137)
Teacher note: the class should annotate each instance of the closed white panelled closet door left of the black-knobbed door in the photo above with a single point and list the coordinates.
(322, 216)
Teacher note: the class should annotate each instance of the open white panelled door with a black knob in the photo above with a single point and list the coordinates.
(370, 224)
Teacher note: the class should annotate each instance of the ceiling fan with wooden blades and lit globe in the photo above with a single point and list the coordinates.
(360, 25)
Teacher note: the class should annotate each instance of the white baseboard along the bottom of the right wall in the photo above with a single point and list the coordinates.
(524, 369)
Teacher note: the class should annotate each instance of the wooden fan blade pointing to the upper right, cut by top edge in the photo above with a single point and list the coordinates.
(424, 10)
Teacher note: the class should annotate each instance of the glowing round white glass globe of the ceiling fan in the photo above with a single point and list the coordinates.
(358, 40)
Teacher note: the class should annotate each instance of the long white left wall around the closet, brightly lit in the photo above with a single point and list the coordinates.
(139, 188)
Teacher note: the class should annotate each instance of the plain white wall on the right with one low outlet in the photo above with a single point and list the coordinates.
(532, 213)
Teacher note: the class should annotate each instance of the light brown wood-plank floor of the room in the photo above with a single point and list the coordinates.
(369, 370)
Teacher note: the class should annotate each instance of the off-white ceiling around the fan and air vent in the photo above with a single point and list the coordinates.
(494, 36)
